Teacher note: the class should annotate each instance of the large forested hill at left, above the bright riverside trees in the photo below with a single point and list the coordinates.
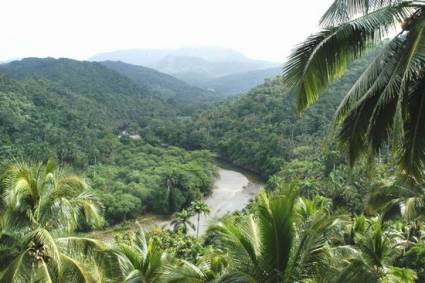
(73, 111)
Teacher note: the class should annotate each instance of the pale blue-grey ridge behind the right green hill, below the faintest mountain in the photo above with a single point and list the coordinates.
(240, 82)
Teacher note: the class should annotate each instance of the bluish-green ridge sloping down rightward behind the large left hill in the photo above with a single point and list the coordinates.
(165, 86)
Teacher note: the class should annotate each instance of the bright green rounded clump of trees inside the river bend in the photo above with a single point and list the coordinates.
(142, 178)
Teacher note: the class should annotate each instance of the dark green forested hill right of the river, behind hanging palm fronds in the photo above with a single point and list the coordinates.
(261, 130)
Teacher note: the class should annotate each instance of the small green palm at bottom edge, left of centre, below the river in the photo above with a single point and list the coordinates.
(140, 259)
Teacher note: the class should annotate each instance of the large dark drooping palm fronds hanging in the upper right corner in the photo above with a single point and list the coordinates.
(385, 105)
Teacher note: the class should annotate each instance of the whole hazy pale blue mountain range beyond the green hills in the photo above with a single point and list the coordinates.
(206, 67)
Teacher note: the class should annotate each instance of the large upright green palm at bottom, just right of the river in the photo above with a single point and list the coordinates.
(270, 246)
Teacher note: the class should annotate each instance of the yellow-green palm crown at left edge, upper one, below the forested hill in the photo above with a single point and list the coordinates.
(37, 195)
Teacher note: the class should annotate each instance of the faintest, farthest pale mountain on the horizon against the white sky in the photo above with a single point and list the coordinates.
(193, 65)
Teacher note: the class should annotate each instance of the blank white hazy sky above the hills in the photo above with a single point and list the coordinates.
(262, 29)
